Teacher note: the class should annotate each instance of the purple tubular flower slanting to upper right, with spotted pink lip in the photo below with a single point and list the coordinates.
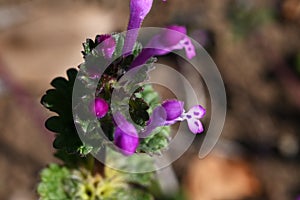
(172, 38)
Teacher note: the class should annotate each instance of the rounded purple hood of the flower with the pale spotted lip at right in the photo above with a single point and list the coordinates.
(173, 108)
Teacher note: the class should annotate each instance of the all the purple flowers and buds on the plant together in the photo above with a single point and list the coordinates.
(172, 38)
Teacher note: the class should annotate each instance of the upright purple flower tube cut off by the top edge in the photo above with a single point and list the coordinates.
(138, 11)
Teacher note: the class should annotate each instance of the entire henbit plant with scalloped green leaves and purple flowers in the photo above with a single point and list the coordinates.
(145, 130)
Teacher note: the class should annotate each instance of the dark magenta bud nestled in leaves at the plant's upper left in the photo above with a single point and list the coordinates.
(106, 45)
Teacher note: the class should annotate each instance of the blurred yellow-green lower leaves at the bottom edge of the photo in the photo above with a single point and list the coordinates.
(60, 183)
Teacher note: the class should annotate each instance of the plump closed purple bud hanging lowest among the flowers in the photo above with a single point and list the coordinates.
(125, 136)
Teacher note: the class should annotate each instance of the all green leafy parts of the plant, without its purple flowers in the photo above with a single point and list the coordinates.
(75, 180)
